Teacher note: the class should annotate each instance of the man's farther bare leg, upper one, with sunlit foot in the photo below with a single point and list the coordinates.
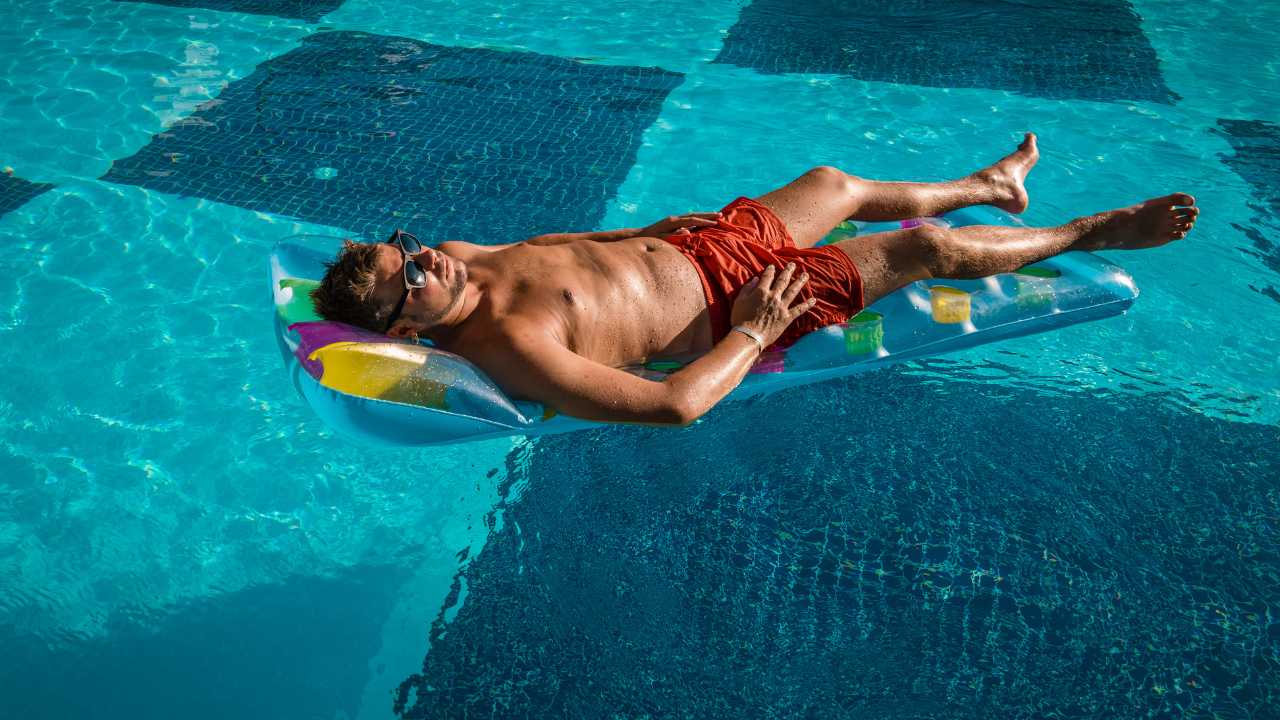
(824, 198)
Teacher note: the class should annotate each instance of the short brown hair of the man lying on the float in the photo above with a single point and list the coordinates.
(346, 294)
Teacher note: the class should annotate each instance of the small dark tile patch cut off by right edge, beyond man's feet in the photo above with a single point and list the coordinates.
(1256, 158)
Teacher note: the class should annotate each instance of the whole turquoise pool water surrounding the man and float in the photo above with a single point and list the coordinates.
(1081, 525)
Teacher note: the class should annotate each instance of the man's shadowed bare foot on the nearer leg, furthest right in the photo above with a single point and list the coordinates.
(1146, 225)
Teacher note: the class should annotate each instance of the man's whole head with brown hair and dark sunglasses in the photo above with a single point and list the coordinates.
(364, 285)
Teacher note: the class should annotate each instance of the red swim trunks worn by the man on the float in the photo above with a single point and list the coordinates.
(749, 239)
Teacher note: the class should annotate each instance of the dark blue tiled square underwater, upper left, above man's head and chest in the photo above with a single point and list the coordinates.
(372, 133)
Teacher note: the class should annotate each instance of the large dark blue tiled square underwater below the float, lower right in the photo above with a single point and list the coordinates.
(876, 566)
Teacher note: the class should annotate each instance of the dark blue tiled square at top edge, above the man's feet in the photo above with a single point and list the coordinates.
(1089, 51)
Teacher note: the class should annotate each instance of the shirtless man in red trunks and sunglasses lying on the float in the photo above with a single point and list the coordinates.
(554, 318)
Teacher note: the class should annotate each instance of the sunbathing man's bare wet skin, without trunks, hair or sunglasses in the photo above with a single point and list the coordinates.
(552, 318)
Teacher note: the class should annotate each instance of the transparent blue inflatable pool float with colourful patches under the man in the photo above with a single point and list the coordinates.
(377, 389)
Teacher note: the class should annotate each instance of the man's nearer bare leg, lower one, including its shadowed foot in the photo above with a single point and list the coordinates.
(890, 261)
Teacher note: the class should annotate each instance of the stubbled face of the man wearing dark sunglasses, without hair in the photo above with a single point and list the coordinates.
(426, 307)
